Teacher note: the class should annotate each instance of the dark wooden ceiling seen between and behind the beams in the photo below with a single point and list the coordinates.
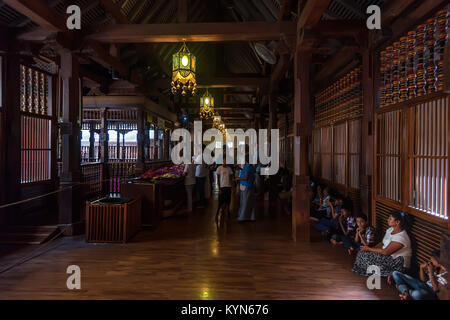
(151, 61)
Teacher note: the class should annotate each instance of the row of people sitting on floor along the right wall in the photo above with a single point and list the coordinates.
(392, 255)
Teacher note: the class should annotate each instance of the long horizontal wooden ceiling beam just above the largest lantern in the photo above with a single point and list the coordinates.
(194, 32)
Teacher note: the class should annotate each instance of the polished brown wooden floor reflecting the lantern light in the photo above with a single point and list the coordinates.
(188, 258)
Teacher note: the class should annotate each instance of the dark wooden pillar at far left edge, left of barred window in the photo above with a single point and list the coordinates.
(12, 140)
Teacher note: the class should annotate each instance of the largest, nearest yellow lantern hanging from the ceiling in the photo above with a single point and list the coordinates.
(183, 72)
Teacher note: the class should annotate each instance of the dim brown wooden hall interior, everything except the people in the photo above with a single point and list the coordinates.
(87, 117)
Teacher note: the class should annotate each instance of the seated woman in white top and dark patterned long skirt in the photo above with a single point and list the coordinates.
(392, 254)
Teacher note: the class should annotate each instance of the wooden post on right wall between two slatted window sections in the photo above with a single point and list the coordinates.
(367, 126)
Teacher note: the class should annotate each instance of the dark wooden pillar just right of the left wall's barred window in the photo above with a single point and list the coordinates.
(70, 198)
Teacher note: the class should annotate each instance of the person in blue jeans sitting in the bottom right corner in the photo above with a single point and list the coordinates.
(433, 278)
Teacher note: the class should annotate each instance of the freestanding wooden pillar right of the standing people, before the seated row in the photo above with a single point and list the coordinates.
(302, 135)
